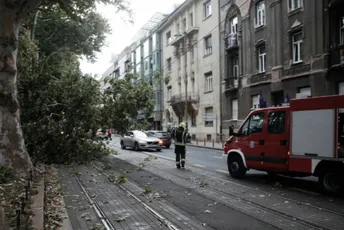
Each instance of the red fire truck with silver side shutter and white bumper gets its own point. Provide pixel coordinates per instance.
(302, 139)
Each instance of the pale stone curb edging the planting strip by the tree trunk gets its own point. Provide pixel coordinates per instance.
(38, 206)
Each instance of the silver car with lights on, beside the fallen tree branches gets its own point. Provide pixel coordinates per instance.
(140, 140)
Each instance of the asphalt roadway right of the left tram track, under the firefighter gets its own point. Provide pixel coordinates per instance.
(186, 192)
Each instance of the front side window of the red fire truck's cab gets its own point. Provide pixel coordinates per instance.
(253, 125)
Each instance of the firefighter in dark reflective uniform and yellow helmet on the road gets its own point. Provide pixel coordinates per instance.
(180, 143)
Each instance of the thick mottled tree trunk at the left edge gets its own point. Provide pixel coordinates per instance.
(12, 147)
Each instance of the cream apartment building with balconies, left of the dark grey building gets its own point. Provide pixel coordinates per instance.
(190, 64)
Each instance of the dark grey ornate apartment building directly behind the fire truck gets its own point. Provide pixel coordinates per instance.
(278, 50)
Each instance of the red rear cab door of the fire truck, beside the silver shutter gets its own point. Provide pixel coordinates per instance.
(277, 141)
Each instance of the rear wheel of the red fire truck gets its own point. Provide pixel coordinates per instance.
(330, 183)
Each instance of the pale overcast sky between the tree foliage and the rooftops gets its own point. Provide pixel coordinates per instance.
(123, 31)
